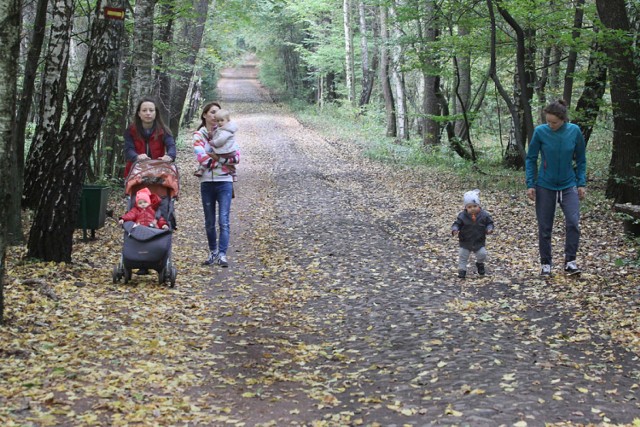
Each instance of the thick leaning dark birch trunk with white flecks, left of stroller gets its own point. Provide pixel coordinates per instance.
(56, 211)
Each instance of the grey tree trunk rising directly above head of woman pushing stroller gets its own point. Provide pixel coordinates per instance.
(142, 54)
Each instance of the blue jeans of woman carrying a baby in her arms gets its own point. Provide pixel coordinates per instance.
(216, 193)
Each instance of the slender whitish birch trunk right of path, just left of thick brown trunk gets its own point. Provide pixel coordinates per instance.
(397, 77)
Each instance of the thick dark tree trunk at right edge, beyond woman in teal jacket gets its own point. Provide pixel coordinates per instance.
(623, 184)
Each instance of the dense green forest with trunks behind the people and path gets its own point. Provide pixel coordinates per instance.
(450, 76)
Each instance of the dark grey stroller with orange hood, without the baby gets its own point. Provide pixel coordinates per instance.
(145, 247)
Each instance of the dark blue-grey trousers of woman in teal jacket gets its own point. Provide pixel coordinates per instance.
(546, 201)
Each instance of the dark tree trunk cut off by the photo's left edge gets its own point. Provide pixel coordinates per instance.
(9, 54)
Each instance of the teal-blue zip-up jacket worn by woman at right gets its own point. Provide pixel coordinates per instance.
(557, 149)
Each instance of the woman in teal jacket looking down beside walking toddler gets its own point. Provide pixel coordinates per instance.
(560, 178)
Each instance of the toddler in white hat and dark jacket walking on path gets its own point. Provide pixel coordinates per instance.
(472, 226)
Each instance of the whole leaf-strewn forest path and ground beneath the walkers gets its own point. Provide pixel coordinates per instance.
(340, 307)
